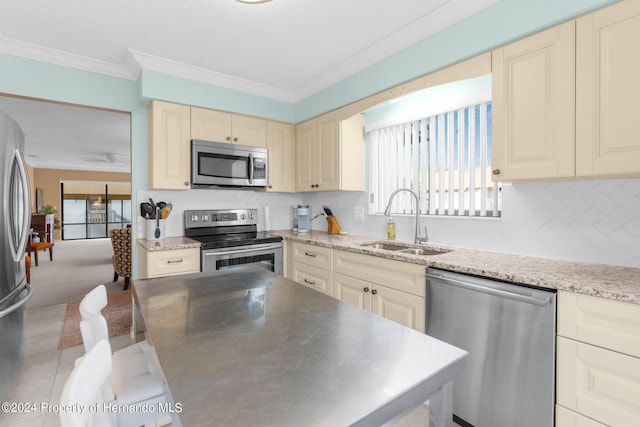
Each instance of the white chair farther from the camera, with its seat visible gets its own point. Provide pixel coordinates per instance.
(133, 378)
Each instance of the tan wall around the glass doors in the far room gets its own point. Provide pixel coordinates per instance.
(49, 180)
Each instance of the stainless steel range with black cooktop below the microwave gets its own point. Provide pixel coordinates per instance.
(230, 239)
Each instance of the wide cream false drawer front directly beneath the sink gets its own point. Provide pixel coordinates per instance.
(402, 276)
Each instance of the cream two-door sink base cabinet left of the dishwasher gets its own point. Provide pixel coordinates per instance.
(393, 289)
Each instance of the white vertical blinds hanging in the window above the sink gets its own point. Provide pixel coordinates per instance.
(445, 159)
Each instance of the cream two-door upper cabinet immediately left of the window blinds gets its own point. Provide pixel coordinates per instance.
(330, 153)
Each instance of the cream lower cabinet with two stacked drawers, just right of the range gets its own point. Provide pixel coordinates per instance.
(311, 266)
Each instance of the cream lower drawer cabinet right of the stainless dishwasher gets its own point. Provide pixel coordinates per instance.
(598, 361)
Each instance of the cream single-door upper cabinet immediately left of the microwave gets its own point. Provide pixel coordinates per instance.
(169, 146)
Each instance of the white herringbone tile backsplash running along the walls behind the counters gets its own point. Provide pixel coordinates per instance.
(592, 220)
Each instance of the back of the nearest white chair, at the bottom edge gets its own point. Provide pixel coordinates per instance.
(83, 389)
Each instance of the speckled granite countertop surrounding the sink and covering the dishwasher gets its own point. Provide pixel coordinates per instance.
(601, 280)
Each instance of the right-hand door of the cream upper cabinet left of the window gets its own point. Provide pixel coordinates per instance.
(327, 158)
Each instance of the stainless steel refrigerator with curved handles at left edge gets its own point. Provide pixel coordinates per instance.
(14, 231)
